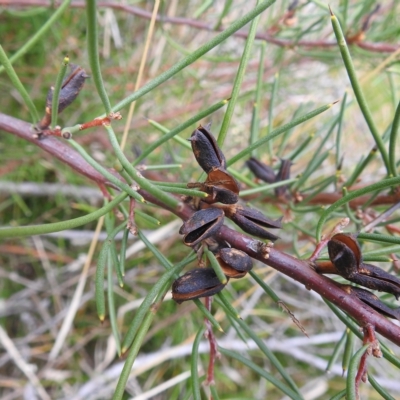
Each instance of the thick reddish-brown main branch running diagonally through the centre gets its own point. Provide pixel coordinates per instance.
(298, 270)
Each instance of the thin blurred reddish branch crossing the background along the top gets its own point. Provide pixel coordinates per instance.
(373, 47)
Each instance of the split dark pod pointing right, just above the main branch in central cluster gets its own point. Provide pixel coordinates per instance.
(253, 222)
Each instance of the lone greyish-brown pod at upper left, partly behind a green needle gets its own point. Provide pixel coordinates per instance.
(71, 86)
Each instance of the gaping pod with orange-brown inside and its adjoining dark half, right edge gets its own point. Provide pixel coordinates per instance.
(345, 254)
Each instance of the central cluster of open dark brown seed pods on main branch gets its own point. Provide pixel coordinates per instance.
(201, 228)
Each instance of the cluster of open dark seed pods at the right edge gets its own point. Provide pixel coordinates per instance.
(346, 256)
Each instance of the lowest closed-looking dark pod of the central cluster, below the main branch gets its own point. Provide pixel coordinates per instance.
(200, 282)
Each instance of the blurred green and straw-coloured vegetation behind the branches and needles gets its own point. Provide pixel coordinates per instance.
(302, 70)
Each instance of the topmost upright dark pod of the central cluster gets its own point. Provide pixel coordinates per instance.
(206, 150)
